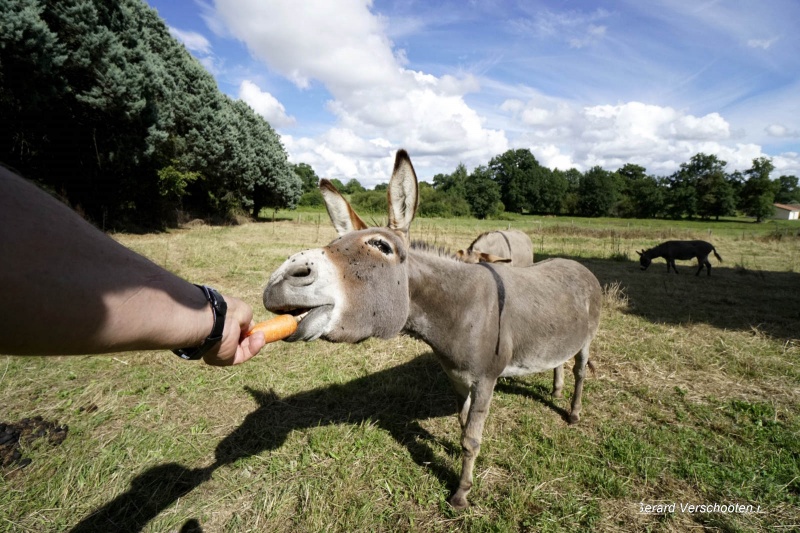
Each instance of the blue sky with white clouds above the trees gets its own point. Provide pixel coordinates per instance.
(348, 82)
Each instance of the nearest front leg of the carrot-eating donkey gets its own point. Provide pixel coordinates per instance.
(471, 436)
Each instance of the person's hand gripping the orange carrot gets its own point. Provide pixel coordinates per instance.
(236, 347)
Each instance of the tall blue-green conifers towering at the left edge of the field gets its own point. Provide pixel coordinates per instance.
(101, 105)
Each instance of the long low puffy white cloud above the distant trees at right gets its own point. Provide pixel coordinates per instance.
(659, 138)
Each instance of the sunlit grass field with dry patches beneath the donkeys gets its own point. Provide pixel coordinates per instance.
(695, 402)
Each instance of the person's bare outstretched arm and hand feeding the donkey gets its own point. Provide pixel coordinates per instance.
(71, 289)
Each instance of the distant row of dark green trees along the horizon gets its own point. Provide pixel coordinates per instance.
(515, 181)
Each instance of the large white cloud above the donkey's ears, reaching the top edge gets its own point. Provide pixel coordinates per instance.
(345, 47)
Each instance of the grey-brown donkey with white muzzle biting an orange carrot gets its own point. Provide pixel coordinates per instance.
(482, 321)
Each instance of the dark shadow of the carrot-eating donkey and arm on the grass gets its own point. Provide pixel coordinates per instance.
(395, 399)
